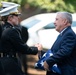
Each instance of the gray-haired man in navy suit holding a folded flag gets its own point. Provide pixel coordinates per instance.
(63, 49)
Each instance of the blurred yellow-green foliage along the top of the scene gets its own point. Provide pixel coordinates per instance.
(49, 5)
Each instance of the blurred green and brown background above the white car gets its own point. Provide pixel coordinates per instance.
(32, 7)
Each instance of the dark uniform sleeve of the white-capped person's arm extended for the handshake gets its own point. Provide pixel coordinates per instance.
(18, 44)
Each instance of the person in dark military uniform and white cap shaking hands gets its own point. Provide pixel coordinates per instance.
(11, 41)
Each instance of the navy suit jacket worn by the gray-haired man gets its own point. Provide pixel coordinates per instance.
(64, 53)
